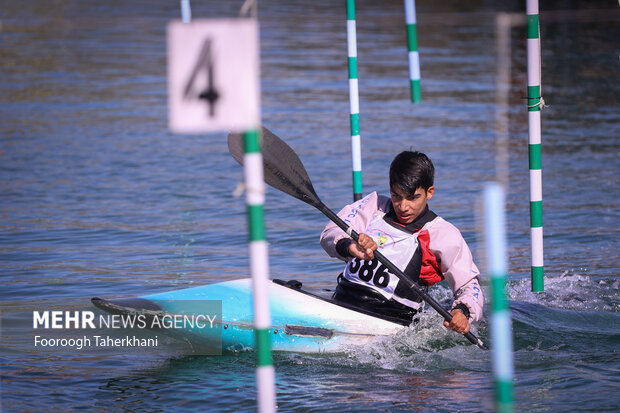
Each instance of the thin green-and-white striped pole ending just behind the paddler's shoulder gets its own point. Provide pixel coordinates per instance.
(354, 102)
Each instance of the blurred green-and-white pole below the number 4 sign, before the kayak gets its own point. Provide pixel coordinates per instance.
(259, 269)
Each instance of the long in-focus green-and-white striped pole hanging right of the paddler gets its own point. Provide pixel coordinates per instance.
(534, 106)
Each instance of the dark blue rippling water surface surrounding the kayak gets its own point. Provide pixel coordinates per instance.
(97, 198)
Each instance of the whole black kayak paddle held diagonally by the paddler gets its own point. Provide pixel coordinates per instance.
(284, 171)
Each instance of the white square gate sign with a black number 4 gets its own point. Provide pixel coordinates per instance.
(213, 75)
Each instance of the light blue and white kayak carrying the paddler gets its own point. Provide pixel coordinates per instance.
(301, 321)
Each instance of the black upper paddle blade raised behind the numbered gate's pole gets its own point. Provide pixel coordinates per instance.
(282, 169)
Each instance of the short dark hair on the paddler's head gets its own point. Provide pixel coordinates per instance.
(410, 171)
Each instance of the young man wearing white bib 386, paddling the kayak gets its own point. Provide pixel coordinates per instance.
(424, 246)
